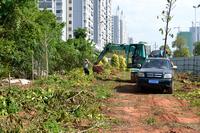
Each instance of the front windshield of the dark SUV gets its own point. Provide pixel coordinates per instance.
(157, 63)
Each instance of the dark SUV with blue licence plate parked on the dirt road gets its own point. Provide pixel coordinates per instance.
(156, 73)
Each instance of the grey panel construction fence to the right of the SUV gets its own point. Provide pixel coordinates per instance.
(190, 64)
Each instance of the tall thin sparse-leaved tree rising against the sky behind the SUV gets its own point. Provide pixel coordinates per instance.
(166, 17)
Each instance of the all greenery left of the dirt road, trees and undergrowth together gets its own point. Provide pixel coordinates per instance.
(61, 97)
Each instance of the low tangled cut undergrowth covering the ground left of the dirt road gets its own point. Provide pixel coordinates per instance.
(55, 104)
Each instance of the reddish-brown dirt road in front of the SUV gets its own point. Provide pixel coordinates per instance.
(150, 112)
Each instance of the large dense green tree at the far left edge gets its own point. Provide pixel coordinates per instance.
(17, 26)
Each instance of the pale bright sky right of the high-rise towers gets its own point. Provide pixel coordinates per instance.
(142, 23)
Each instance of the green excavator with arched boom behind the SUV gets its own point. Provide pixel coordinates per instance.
(135, 56)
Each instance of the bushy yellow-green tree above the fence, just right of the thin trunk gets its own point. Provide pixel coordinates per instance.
(181, 49)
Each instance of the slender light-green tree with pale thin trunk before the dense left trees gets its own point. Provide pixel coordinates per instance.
(49, 34)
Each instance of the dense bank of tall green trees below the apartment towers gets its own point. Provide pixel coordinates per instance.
(27, 34)
